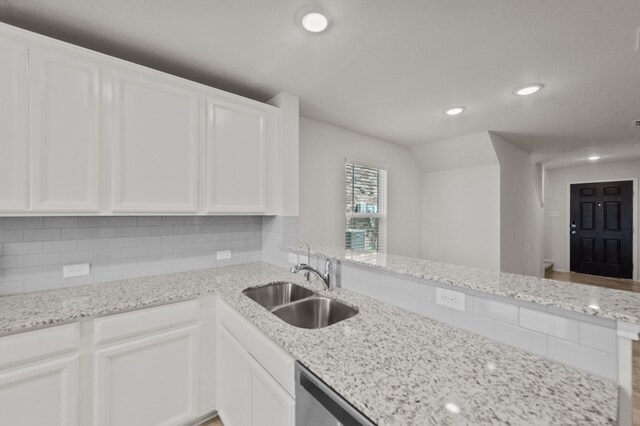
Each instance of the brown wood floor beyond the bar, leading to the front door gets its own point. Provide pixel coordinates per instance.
(619, 284)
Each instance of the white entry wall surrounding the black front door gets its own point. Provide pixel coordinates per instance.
(556, 200)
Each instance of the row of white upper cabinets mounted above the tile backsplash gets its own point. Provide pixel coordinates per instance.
(84, 133)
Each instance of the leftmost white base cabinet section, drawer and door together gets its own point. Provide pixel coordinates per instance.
(39, 377)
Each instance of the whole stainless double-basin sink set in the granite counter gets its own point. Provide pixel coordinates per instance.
(300, 306)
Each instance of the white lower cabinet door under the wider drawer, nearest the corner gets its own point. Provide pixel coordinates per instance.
(148, 381)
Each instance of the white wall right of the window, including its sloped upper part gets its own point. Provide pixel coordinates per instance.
(461, 201)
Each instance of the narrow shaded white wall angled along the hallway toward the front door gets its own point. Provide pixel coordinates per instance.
(521, 216)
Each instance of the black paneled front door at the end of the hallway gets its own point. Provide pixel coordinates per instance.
(601, 228)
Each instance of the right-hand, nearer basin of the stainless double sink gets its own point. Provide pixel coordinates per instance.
(316, 312)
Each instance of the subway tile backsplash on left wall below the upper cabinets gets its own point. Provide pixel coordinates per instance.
(34, 249)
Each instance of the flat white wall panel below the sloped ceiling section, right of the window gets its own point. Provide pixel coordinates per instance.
(461, 216)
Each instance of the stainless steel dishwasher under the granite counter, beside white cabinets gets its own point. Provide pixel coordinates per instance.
(319, 405)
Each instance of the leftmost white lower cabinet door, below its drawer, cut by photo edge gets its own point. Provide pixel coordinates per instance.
(44, 393)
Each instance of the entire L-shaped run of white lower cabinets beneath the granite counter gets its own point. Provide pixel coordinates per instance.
(166, 365)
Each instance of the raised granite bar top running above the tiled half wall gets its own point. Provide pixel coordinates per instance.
(591, 300)
